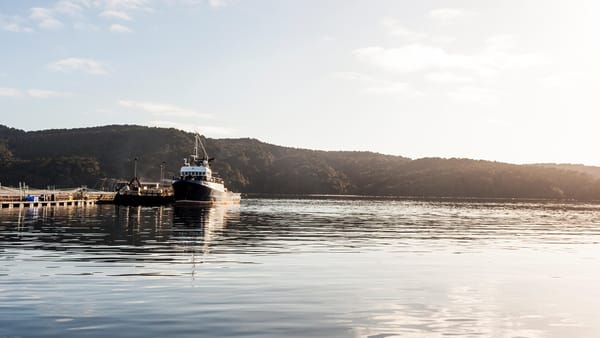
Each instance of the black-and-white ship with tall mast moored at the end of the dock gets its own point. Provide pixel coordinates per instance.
(198, 185)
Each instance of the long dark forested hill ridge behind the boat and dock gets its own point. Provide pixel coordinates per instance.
(97, 156)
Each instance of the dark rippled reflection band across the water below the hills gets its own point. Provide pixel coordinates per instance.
(284, 226)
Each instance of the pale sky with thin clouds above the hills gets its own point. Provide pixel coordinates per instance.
(513, 81)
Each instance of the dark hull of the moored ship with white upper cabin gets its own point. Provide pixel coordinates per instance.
(193, 192)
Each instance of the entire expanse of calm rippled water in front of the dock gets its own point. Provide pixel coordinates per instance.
(305, 268)
